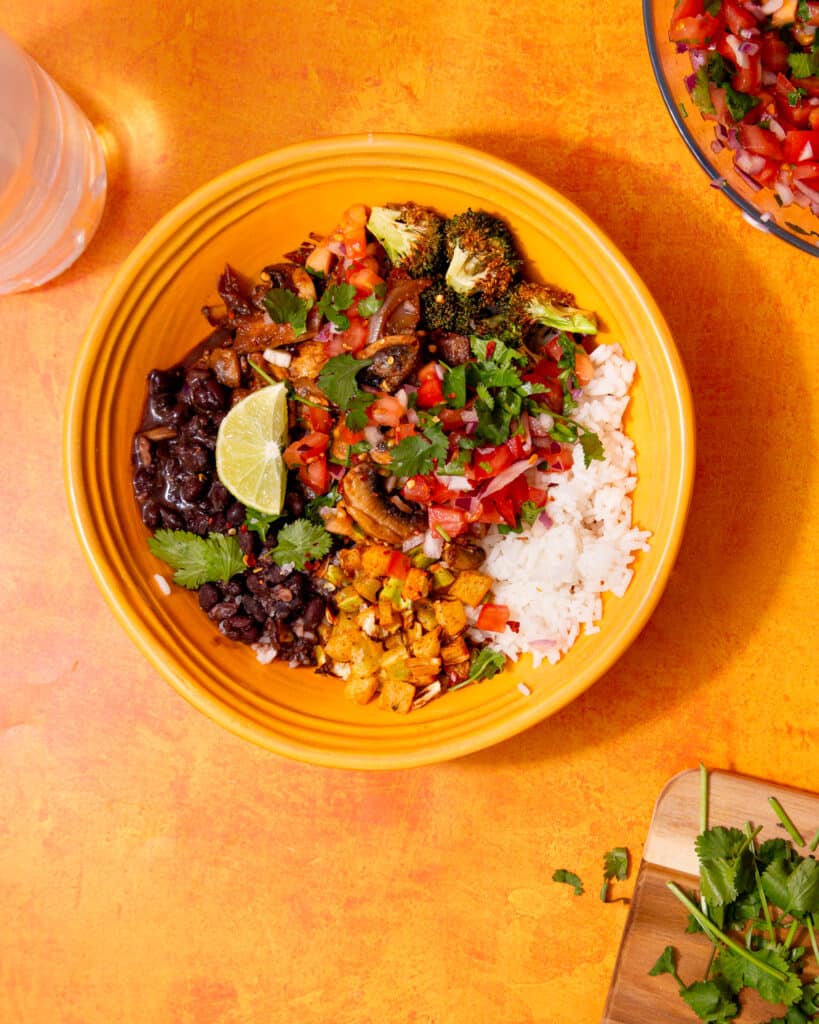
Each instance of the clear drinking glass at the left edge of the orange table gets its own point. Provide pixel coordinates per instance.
(53, 175)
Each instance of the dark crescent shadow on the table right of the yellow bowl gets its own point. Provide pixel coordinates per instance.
(707, 599)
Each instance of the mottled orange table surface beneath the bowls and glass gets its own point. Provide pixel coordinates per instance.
(153, 867)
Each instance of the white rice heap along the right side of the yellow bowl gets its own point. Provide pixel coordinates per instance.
(552, 577)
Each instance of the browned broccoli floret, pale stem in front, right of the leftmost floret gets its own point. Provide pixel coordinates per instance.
(482, 254)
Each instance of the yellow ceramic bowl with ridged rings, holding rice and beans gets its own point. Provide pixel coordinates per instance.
(151, 318)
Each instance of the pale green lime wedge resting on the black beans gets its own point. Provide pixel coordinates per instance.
(249, 448)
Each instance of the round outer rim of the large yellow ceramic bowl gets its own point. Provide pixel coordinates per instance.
(527, 714)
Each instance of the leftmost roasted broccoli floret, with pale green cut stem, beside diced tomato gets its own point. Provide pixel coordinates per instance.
(412, 236)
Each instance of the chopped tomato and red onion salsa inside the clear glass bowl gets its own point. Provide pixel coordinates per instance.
(756, 74)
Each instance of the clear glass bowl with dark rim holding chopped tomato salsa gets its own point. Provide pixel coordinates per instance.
(794, 225)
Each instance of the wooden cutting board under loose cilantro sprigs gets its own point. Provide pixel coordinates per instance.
(657, 918)
